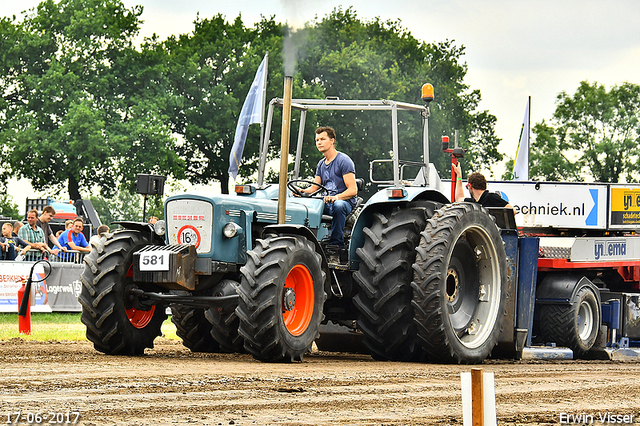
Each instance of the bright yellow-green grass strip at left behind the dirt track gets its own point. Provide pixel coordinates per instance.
(58, 326)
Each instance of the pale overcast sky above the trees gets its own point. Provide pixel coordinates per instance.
(514, 49)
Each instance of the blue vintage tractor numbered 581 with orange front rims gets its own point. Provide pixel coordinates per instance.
(421, 279)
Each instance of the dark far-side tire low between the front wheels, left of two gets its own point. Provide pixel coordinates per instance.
(194, 329)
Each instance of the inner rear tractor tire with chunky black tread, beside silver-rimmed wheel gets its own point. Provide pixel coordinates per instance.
(384, 278)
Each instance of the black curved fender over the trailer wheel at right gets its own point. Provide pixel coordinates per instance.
(562, 289)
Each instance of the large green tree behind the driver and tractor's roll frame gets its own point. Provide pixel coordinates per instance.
(356, 59)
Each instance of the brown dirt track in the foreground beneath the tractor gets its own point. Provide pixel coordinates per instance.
(172, 386)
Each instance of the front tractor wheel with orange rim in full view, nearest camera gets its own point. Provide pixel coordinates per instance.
(281, 298)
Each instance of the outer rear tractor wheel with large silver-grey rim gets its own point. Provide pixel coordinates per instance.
(460, 285)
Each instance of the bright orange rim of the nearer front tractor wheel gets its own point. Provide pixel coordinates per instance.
(298, 318)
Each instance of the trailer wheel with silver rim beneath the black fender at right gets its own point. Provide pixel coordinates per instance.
(575, 326)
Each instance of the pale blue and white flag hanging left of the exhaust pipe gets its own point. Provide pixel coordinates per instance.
(251, 113)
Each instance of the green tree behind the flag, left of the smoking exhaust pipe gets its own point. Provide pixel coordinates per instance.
(211, 71)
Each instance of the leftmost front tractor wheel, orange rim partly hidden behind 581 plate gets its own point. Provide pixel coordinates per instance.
(113, 324)
